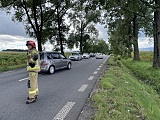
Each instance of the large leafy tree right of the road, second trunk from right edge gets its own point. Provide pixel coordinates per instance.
(133, 12)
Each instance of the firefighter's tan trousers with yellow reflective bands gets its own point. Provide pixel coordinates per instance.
(33, 84)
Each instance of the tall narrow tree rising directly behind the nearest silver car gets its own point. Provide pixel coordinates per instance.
(58, 23)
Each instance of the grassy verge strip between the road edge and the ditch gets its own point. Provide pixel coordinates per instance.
(122, 96)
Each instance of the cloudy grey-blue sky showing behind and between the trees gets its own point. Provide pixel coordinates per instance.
(13, 36)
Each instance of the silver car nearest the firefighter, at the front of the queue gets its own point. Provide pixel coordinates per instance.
(52, 61)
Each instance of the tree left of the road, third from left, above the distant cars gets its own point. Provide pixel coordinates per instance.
(84, 19)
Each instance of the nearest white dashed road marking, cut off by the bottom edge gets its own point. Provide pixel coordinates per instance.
(64, 111)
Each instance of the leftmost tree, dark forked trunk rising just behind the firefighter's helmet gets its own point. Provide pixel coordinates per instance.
(34, 14)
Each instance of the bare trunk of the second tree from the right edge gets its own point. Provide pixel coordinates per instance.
(135, 37)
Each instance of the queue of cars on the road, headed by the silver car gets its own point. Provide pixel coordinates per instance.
(52, 61)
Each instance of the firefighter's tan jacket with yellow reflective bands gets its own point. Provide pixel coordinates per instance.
(33, 58)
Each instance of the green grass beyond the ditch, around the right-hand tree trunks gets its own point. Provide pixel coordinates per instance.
(144, 71)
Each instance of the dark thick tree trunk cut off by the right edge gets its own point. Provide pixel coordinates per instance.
(156, 57)
